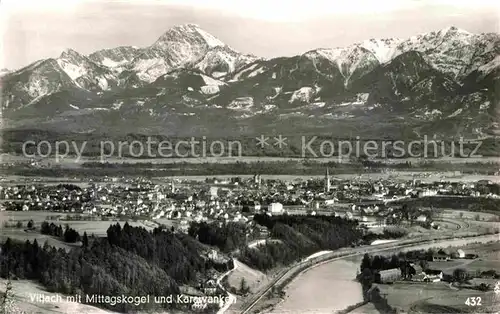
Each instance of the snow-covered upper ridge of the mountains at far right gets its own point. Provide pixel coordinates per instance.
(452, 50)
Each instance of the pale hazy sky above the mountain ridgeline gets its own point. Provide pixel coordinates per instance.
(35, 29)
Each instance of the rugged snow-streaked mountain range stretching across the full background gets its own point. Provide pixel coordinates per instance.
(189, 82)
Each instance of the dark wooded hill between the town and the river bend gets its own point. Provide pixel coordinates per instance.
(294, 237)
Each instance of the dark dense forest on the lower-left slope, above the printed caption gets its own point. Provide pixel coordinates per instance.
(131, 262)
